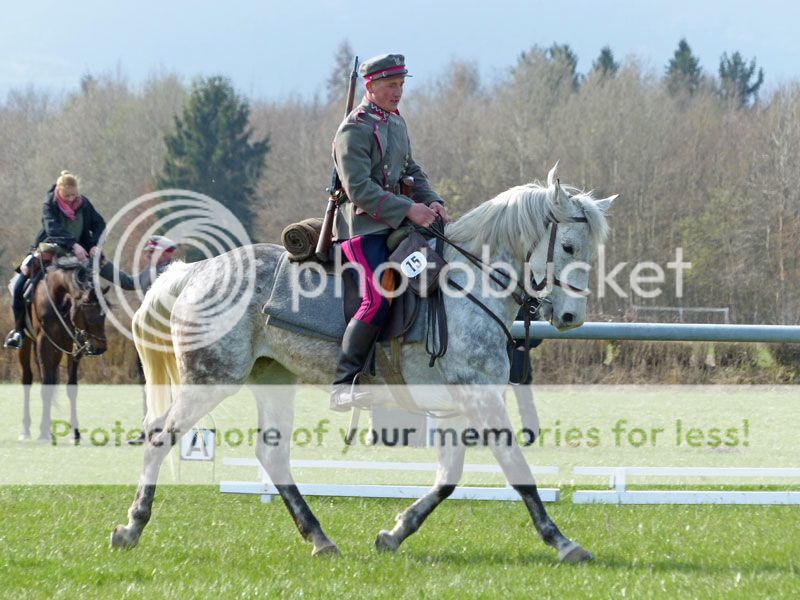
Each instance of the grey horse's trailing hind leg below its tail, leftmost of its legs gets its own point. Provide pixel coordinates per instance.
(190, 405)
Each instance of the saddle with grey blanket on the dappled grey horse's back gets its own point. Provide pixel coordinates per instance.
(312, 299)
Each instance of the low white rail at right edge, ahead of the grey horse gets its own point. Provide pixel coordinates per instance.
(619, 494)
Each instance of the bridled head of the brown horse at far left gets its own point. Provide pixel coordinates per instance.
(87, 313)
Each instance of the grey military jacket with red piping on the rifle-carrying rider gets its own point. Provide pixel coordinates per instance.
(372, 153)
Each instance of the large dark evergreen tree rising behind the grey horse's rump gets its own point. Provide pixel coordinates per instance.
(210, 151)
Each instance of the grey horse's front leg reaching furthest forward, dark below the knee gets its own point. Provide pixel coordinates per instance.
(491, 420)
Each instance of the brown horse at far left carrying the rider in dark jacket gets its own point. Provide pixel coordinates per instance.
(66, 318)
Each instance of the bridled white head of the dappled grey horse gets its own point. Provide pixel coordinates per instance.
(576, 227)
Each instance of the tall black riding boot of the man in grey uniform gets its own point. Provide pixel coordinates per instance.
(359, 337)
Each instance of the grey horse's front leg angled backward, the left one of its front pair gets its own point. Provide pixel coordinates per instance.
(451, 467)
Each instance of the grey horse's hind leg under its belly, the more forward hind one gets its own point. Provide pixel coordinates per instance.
(275, 419)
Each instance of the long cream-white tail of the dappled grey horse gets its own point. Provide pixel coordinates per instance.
(152, 335)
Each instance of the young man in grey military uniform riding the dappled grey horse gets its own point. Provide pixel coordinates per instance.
(372, 153)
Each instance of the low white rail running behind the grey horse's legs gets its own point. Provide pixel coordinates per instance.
(267, 490)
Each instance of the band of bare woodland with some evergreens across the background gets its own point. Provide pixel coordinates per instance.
(703, 160)
